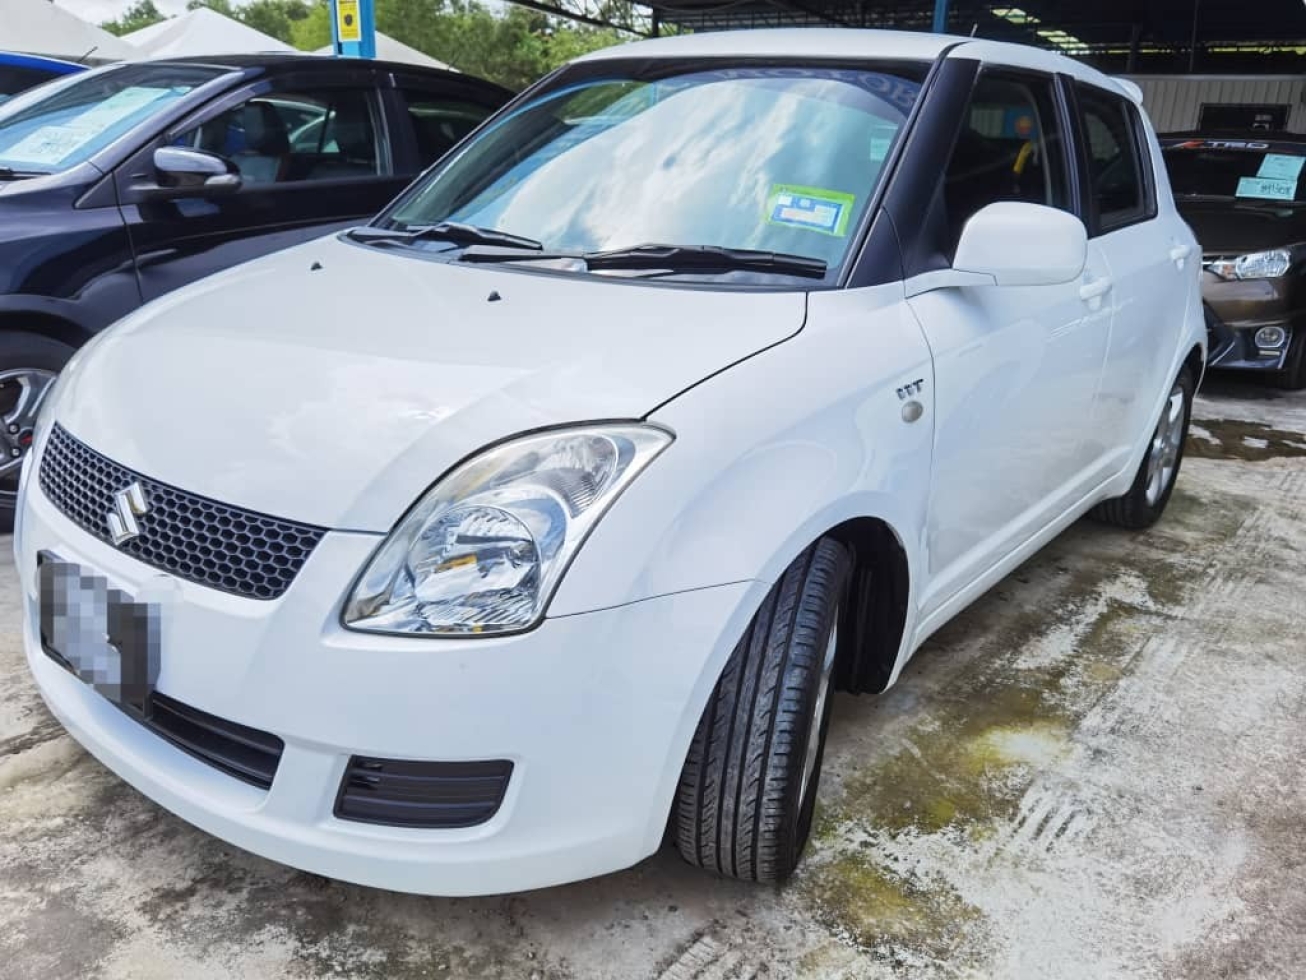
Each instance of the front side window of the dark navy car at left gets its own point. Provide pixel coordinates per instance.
(291, 137)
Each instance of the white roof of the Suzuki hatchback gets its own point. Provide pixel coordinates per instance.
(855, 44)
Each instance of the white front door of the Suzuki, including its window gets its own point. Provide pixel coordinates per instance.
(1015, 368)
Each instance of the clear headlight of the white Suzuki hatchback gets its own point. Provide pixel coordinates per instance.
(484, 551)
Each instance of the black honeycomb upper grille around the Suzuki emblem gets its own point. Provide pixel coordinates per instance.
(190, 536)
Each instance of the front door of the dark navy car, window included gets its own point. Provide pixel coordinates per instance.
(313, 152)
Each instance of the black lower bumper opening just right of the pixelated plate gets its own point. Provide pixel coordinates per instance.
(246, 753)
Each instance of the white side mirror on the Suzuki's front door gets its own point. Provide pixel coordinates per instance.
(1023, 245)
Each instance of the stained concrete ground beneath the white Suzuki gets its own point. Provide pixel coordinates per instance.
(1095, 773)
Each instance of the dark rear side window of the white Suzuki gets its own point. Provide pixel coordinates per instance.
(1119, 188)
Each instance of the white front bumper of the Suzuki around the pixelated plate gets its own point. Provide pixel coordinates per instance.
(595, 711)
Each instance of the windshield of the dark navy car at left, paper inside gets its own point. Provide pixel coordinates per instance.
(63, 125)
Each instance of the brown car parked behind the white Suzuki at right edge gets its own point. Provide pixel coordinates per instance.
(1245, 198)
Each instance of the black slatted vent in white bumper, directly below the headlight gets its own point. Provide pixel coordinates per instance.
(434, 795)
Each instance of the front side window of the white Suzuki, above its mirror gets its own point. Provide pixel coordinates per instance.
(1010, 150)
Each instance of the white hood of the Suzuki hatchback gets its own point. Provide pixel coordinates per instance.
(334, 384)
